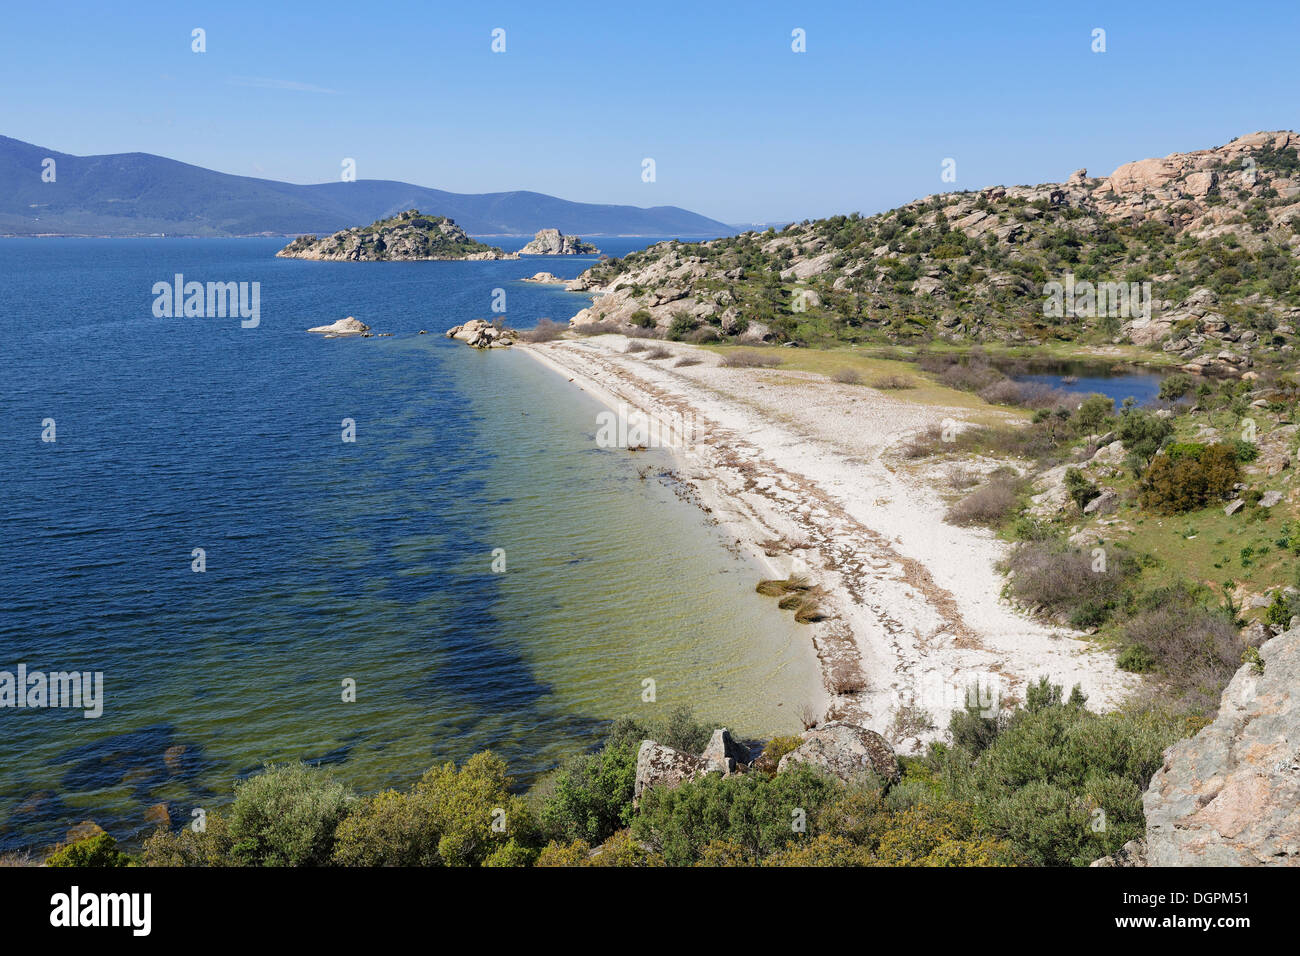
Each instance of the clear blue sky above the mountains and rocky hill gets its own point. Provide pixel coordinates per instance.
(740, 128)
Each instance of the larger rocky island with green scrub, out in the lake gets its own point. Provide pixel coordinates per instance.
(408, 237)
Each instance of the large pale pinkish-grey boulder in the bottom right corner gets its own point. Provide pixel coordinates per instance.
(1230, 797)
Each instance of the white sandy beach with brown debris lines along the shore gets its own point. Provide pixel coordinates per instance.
(799, 469)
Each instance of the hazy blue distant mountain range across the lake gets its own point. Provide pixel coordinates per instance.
(141, 194)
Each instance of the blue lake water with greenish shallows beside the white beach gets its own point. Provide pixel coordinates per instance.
(327, 560)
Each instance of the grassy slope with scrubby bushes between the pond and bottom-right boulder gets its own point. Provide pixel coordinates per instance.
(1186, 570)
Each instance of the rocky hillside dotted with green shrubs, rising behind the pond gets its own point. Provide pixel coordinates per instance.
(1215, 235)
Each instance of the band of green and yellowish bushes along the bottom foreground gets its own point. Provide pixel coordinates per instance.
(1050, 784)
